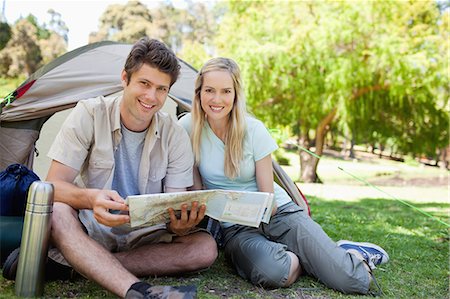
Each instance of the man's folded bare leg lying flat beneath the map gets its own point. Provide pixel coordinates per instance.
(185, 254)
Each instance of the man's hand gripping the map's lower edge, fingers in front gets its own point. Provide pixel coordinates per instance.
(188, 220)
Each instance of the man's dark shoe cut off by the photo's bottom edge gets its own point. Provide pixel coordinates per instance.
(143, 290)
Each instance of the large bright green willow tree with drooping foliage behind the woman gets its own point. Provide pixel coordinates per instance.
(305, 64)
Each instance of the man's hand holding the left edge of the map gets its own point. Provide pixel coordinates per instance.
(105, 200)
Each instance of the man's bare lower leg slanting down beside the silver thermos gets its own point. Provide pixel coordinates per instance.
(85, 255)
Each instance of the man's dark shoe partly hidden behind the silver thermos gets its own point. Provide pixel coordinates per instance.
(53, 270)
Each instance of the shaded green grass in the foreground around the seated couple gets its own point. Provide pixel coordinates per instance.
(417, 245)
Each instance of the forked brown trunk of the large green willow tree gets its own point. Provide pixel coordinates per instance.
(308, 163)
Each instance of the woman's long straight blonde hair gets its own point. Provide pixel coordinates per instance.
(234, 138)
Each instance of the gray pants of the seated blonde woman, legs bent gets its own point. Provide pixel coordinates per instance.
(259, 254)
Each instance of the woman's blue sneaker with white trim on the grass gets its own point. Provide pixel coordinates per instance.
(373, 254)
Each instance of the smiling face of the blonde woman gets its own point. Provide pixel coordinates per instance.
(217, 95)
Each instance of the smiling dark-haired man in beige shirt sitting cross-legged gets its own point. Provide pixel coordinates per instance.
(112, 147)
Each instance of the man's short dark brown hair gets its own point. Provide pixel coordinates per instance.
(155, 54)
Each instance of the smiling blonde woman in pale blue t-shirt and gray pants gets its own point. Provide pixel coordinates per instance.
(233, 151)
